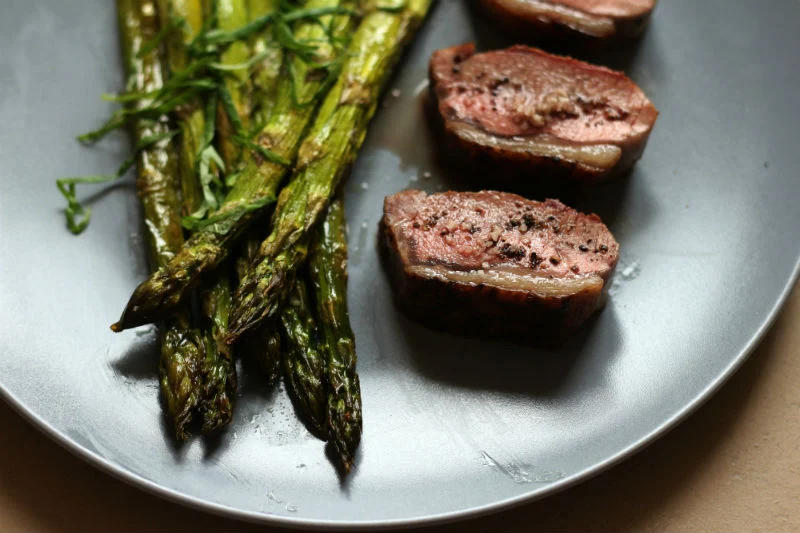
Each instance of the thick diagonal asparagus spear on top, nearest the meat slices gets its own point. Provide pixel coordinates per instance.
(324, 157)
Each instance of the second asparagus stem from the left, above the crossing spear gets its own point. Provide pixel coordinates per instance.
(190, 118)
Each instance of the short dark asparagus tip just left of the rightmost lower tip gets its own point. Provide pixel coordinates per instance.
(303, 360)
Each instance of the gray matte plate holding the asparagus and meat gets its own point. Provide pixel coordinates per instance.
(708, 224)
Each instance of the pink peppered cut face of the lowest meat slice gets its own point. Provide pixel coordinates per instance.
(473, 233)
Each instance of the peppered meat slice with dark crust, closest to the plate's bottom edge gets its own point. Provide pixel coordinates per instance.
(494, 263)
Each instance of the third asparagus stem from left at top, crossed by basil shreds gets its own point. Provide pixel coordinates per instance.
(233, 14)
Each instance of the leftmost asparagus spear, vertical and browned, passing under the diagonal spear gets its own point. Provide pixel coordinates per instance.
(181, 347)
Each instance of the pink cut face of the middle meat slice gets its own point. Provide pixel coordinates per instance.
(511, 93)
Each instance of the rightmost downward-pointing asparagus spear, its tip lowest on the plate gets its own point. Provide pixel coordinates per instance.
(328, 267)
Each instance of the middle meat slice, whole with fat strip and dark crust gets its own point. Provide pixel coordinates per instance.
(521, 113)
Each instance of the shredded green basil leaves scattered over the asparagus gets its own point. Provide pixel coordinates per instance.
(204, 78)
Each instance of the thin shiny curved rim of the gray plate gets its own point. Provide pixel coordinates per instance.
(137, 481)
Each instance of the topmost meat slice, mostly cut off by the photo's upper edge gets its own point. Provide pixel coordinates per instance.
(597, 19)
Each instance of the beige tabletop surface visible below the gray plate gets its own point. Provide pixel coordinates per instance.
(732, 466)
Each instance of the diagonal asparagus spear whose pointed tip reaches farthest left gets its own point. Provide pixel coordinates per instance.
(255, 187)
